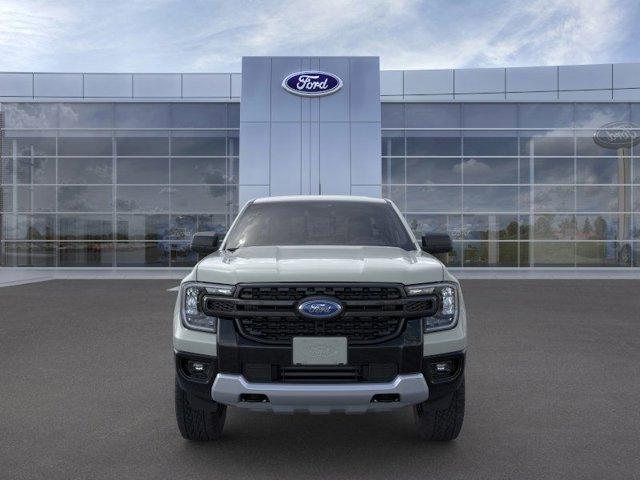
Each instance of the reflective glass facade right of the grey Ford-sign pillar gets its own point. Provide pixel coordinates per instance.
(516, 185)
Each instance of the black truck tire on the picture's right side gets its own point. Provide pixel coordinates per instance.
(441, 425)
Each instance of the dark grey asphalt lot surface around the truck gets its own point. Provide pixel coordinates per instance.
(553, 382)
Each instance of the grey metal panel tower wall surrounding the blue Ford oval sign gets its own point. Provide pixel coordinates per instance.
(294, 145)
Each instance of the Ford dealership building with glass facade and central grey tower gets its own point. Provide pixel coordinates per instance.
(530, 167)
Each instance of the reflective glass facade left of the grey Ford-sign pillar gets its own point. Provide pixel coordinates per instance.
(114, 184)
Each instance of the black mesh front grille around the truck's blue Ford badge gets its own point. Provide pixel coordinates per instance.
(372, 313)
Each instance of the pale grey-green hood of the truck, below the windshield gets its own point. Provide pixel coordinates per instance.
(319, 264)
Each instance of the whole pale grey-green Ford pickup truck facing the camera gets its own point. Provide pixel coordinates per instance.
(319, 304)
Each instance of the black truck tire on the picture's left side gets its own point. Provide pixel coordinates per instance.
(196, 420)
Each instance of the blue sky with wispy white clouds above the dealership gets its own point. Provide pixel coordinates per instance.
(212, 36)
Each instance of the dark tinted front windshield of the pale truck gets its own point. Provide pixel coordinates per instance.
(319, 223)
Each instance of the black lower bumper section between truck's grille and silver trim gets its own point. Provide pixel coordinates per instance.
(264, 363)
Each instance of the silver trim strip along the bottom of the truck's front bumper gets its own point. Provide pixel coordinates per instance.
(320, 398)
